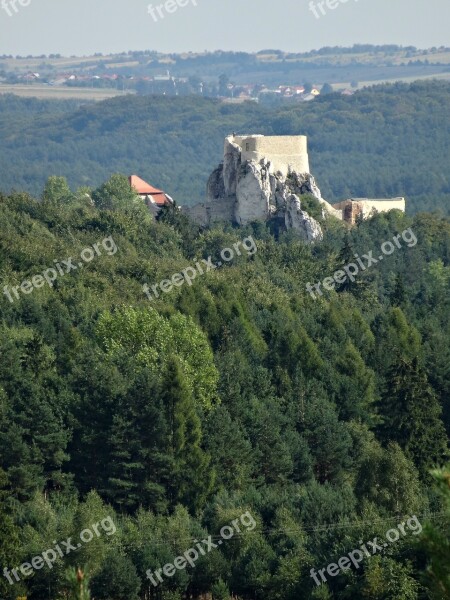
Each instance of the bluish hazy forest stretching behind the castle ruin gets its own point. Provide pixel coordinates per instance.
(387, 141)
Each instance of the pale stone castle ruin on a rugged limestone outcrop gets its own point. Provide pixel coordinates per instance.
(264, 177)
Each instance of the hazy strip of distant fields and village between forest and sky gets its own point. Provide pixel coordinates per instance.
(269, 76)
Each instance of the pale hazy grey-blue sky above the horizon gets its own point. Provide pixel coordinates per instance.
(78, 27)
